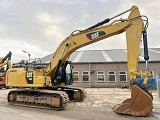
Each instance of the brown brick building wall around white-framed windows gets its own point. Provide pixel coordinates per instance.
(95, 67)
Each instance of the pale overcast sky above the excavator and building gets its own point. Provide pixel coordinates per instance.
(39, 26)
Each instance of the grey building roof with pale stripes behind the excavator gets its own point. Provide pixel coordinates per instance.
(114, 55)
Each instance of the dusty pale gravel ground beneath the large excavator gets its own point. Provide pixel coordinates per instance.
(97, 106)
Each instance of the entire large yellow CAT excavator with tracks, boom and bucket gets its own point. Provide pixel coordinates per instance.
(46, 87)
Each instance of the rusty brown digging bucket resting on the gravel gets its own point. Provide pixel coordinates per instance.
(140, 103)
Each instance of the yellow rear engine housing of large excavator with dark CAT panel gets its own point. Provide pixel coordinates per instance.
(33, 78)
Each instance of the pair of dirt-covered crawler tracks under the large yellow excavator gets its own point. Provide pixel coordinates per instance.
(46, 99)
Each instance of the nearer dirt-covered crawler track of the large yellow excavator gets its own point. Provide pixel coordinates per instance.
(39, 98)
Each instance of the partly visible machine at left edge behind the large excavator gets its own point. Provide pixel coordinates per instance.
(6, 61)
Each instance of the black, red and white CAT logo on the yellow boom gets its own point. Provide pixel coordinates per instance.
(95, 35)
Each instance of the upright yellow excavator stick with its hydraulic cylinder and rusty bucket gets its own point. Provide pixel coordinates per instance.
(140, 103)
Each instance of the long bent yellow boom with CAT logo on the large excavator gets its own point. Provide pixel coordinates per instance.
(81, 39)
